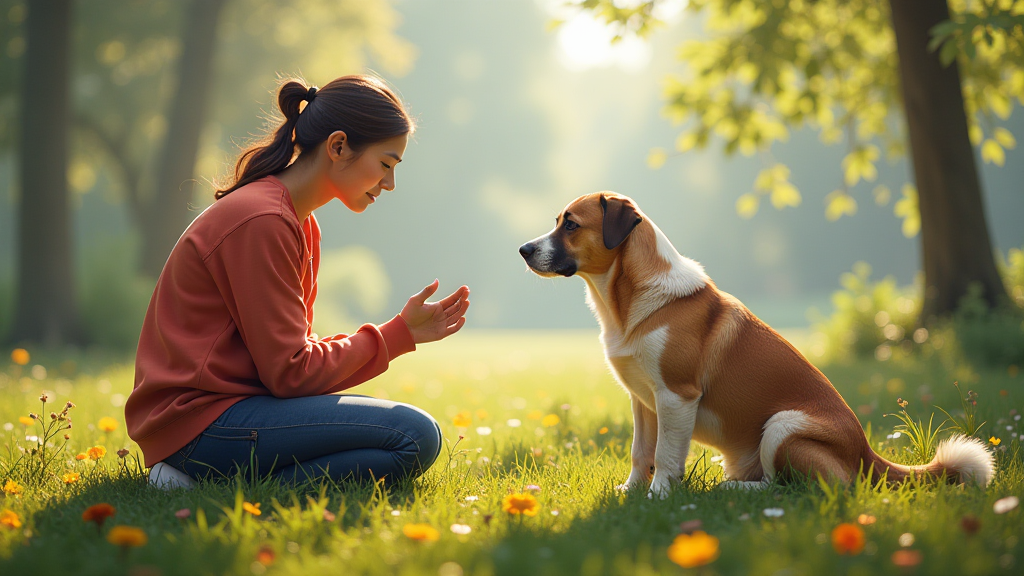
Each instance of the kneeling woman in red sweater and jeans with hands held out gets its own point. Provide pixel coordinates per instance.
(229, 374)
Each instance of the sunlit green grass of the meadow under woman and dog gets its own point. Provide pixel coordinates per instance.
(584, 526)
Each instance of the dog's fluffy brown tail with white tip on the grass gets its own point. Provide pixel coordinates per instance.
(960, 459)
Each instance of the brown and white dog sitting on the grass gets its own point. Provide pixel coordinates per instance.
(700, 366)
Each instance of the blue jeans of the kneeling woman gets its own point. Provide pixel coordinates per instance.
(342, 437)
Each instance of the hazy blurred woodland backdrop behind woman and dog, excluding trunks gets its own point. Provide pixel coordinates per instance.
(517, 120)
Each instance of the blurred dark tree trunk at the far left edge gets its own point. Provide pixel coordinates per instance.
(46, 307)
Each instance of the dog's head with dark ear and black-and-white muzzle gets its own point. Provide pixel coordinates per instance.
(587, 237)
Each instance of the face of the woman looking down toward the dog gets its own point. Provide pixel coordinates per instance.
(360, 178)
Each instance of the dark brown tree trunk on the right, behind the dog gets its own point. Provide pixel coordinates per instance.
(957, 250)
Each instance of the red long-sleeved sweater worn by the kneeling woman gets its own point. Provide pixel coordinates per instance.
(232, 318)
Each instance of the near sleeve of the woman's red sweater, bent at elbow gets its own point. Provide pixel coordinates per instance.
(259, 270)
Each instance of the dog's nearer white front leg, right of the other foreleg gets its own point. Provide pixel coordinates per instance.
(676, 419)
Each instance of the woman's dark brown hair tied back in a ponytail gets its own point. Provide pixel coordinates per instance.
(364, 107)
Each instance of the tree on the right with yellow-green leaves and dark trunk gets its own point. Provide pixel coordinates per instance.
(846, 68)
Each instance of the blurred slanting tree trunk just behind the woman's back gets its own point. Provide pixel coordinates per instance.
(169, 214)
